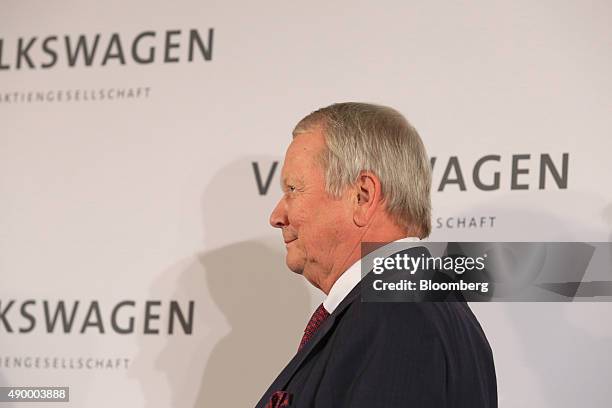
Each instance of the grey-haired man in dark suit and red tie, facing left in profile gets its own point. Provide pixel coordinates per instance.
(356, 173)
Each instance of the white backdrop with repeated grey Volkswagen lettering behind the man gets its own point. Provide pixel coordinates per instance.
(150, 195)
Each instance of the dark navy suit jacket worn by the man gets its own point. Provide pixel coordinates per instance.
(404, 354)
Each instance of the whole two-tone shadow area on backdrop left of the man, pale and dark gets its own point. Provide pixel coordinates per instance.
(250, 309)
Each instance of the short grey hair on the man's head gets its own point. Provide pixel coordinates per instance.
(367, 137)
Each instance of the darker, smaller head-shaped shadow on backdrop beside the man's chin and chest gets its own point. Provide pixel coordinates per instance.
(264, 312)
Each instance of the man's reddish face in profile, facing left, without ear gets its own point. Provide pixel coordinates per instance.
(312, 222)
